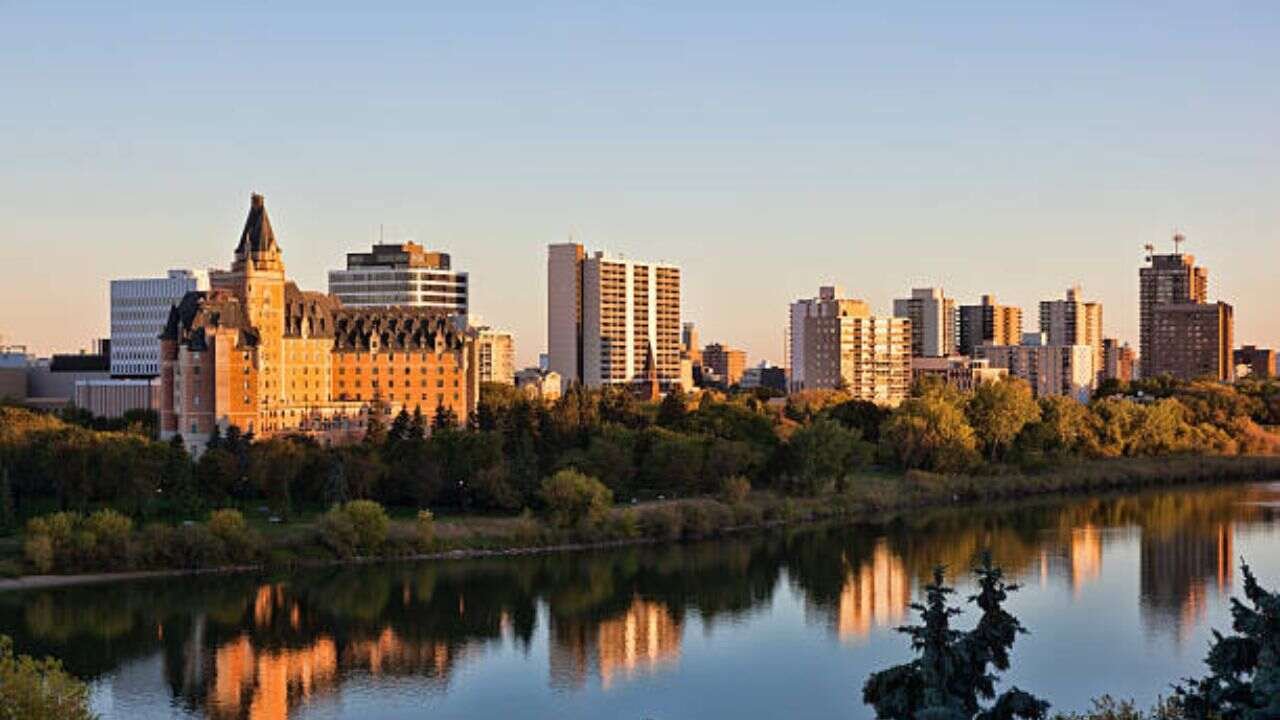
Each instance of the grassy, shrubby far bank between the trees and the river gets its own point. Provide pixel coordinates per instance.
(322, 539)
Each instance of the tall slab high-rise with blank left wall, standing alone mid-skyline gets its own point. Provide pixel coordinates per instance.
(612, 321)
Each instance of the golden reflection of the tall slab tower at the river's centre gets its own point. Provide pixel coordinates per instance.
(642, 640)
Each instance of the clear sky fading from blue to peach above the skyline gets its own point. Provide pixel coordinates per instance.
(988, 148)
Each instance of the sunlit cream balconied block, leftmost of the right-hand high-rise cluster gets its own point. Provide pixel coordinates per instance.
(839, 344)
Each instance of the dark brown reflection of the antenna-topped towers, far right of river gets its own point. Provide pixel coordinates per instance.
(1178, 571)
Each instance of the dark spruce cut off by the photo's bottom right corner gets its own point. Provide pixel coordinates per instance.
(1245, 669)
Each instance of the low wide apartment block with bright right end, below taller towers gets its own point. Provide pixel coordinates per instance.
(1050, 370)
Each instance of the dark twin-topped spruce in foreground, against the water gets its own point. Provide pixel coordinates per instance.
(954, 673)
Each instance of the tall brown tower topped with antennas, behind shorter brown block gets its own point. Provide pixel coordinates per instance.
(1168, 280)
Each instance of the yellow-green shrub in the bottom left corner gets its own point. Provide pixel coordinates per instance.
(39, 690)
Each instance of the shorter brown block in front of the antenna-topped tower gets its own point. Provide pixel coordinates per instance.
(1191, 341)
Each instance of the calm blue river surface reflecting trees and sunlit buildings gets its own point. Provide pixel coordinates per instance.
(1119, 594)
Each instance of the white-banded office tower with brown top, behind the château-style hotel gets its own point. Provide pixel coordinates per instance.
(401, 275)
